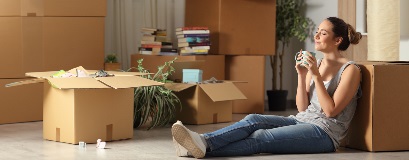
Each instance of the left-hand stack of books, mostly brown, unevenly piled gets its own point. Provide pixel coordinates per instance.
(155, 42)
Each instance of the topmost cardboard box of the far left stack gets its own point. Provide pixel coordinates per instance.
(53, 8)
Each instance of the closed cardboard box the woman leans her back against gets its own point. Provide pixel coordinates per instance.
(381, 120)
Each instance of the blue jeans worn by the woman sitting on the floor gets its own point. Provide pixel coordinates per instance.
(267, 134)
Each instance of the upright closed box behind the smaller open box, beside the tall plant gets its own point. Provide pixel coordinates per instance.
(252, 70)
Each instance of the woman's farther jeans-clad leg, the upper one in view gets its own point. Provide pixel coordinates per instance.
(244, 128)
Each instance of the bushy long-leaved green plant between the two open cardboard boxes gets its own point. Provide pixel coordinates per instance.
(156, 104)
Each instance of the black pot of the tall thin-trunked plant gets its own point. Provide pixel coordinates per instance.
(277, 100)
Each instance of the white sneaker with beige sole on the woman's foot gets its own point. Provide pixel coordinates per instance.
(190, 140)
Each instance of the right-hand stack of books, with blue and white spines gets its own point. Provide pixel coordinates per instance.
(193, 40)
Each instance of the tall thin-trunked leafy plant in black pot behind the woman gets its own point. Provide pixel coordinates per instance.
(289, 23)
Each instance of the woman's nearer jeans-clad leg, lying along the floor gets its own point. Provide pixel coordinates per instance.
(300, 138)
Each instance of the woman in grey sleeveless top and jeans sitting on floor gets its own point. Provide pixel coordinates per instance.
(326, 99)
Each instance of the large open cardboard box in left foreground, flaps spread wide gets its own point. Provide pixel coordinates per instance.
(88, 108)
